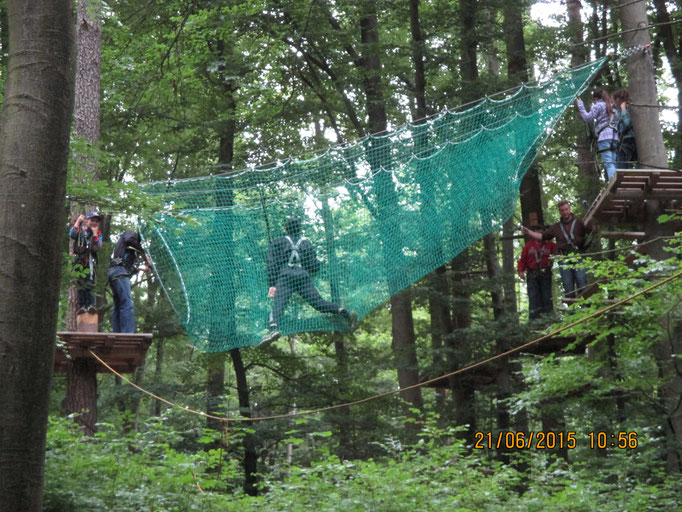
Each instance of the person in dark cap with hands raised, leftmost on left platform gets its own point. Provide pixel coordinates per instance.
(87, 242)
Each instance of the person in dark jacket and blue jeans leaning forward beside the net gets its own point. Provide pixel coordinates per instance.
(122, 266)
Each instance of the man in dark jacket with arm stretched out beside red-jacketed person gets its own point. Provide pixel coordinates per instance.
(570, 233)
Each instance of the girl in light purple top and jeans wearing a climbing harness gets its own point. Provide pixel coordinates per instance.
(605, 127)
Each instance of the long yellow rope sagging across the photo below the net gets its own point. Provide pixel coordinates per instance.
(226, 420)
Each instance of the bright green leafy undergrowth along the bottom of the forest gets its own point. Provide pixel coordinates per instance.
(143, 472)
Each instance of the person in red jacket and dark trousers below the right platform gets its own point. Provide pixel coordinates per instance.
(535, 266)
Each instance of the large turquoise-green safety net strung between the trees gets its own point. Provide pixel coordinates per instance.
(381, 213)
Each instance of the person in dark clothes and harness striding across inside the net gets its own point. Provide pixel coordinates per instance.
(291, 262)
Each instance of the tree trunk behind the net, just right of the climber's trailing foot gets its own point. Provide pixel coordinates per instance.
(401, 307)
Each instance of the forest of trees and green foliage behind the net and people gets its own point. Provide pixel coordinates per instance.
(190, 88)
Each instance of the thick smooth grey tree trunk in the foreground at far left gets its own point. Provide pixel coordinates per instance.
(34, 137)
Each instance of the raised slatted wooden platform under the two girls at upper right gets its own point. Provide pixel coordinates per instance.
(622, 201)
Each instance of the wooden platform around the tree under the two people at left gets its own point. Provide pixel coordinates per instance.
(124, 352)
